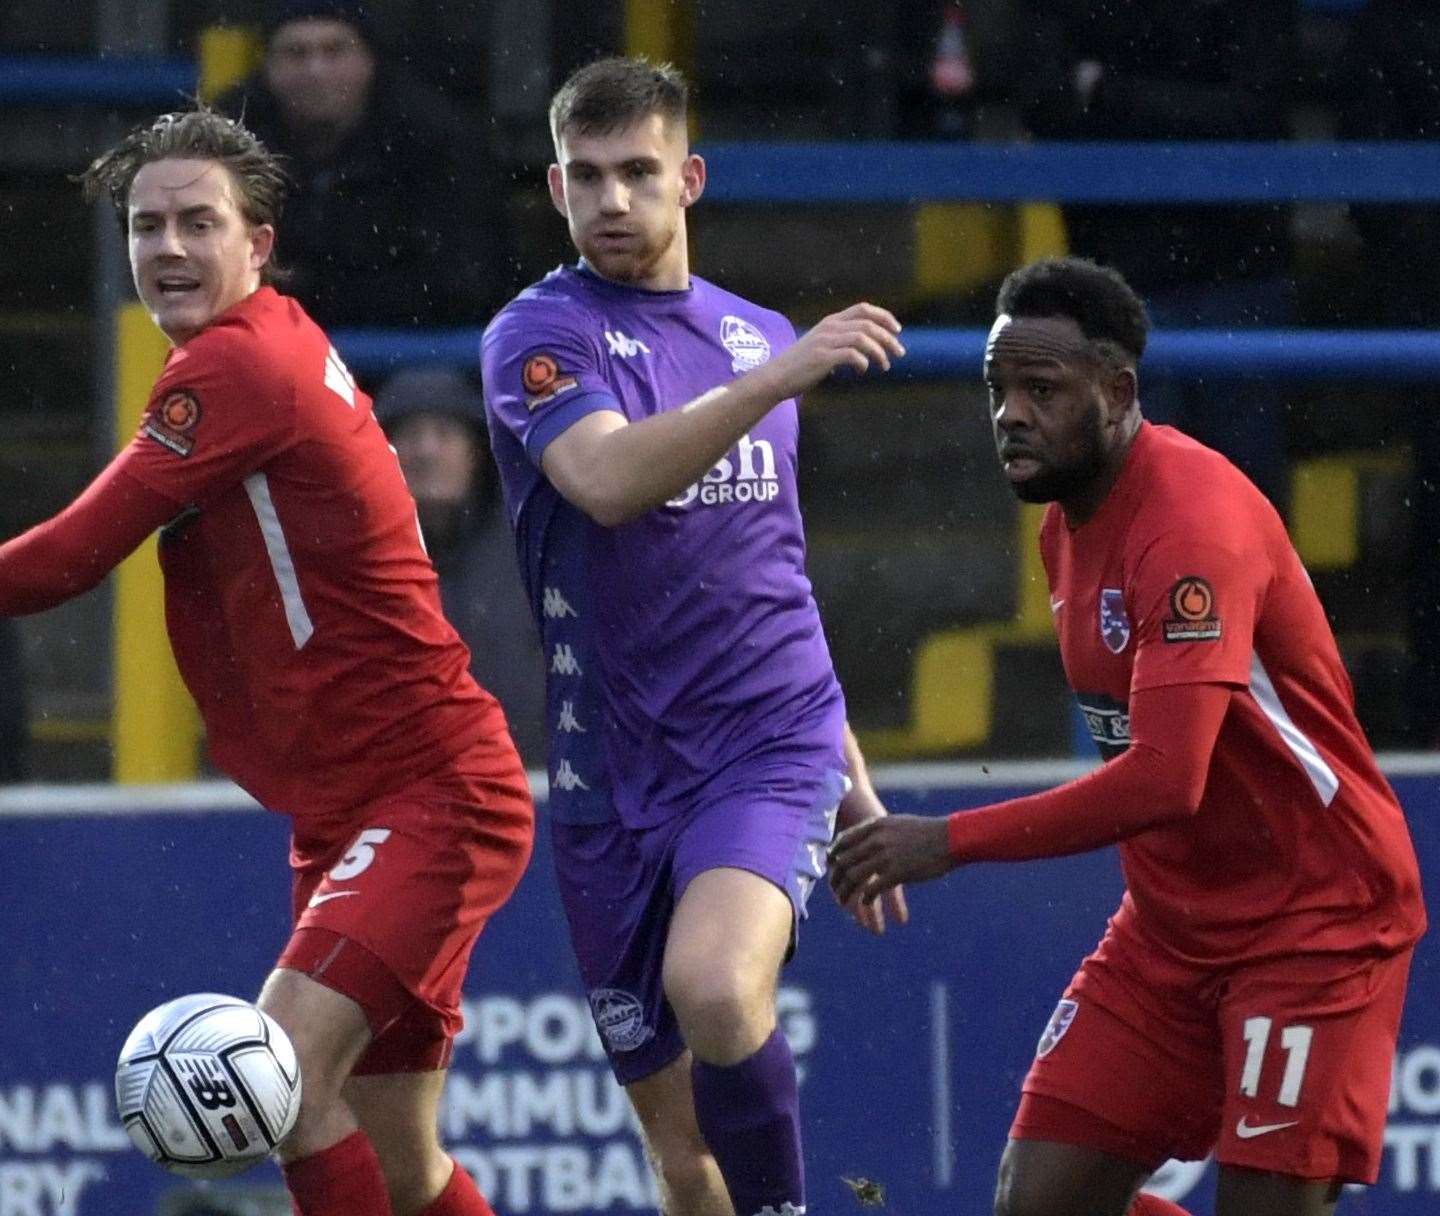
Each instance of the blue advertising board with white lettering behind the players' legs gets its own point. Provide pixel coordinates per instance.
(912, 1048)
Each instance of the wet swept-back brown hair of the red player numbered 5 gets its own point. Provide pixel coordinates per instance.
(195, 135)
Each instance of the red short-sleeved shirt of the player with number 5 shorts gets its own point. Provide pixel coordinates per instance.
(303, 610)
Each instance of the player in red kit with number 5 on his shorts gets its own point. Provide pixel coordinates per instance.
(306, 620)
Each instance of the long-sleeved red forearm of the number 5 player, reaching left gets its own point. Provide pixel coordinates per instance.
(74, 551)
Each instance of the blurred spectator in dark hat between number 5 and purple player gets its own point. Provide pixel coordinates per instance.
(436, 420)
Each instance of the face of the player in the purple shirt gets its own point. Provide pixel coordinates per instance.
(626, 195)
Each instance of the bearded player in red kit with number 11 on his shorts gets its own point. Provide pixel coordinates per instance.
(1246, 996)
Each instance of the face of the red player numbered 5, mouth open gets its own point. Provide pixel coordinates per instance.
(192, 251)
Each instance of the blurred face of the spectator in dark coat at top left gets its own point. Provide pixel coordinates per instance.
(320, 73)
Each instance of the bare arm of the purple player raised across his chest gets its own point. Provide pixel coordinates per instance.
(616, 470)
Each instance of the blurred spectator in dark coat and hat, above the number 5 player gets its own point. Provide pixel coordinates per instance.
(390, 223)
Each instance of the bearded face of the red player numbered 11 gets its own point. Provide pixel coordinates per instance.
(1049, 408)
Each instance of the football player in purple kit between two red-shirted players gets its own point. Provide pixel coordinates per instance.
(644, 423)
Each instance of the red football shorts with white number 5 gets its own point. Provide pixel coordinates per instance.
(388, 908)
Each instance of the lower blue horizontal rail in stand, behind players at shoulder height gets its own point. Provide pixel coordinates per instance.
(1373, 355)
